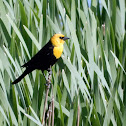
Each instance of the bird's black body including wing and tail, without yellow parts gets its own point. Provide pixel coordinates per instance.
(41, 61)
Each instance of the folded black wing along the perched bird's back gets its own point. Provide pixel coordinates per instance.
(43, 54)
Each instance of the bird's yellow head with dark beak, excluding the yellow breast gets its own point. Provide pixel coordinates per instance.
(58, 39)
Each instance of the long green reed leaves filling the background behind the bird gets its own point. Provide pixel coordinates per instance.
(91, 75)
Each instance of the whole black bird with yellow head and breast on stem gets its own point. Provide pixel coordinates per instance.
(46, 57)
